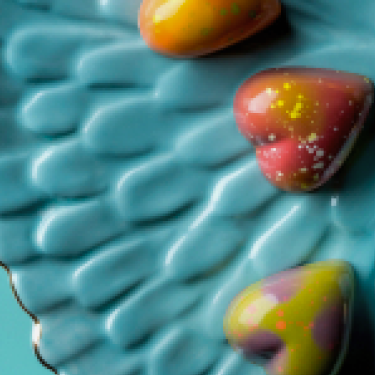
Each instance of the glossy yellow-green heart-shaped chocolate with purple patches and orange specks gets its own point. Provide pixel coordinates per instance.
(296, 322)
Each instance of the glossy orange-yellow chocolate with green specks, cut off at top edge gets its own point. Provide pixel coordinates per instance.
(189, 28)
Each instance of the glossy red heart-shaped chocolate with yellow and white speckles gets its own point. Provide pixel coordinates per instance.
(302, 121)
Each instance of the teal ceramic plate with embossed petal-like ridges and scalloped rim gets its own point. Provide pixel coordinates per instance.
(132, 210)
